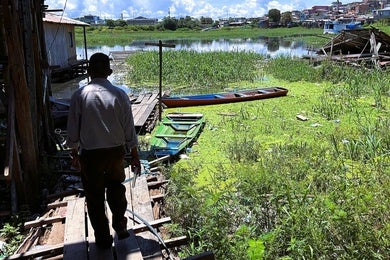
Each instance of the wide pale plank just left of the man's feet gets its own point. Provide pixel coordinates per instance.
(75, 246)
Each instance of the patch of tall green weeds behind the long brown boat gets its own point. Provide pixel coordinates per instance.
(194, 72)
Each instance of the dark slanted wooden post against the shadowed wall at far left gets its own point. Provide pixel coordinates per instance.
(13, 30)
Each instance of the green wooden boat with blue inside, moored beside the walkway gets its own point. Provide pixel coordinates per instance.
(175, 133)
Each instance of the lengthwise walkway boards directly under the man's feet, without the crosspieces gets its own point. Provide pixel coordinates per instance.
(79, 240)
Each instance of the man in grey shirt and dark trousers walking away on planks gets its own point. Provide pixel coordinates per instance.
(101, 125)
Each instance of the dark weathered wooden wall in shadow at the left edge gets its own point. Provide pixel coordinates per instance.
(26, 85)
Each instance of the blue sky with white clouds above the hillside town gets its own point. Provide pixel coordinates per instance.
(216, 9)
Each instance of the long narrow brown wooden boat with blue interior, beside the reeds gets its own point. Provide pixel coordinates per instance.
(223, 98)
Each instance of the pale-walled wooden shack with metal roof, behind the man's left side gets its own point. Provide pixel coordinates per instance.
(60, 42)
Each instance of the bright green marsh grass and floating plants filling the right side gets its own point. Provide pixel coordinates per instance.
(296, 189)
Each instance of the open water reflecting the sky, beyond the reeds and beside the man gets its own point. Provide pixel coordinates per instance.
(268, 46)
